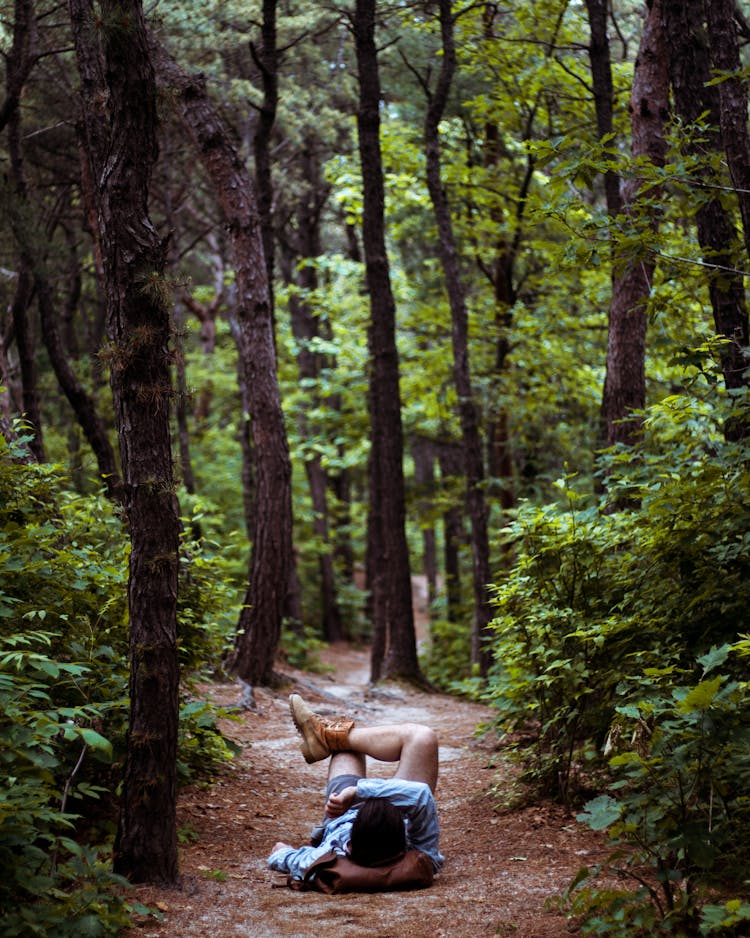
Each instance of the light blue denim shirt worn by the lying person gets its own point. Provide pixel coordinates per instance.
(413, 798)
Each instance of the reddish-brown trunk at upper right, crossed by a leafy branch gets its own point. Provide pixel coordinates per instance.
(624, 393)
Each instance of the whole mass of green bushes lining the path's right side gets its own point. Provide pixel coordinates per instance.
(621, 665)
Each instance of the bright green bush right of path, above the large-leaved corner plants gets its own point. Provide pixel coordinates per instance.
(596, 596)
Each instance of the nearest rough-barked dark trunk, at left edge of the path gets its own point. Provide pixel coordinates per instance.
(119, 127)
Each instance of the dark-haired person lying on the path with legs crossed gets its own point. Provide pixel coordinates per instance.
(370, 820)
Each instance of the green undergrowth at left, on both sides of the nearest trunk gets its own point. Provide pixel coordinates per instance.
(63, 697)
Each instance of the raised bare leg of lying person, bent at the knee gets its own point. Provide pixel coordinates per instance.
(413, 746)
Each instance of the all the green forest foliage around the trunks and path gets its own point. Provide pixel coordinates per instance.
(620, 650)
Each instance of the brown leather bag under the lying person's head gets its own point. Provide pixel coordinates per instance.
(336, 874)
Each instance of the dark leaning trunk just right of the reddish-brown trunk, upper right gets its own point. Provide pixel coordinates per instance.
(690, 75)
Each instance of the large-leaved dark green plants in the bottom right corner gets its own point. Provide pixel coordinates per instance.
(679, 811)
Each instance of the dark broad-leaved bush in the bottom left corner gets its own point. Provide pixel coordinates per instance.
(49, 883)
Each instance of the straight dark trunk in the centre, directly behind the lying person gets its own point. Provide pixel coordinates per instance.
(388, 565)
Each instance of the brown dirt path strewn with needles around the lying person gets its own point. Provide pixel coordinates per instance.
(499, 868)
